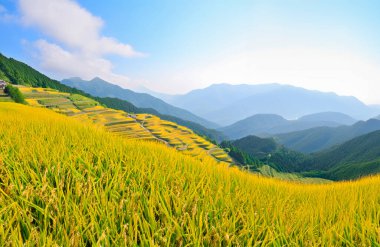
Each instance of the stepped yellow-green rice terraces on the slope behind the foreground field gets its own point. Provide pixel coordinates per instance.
(128, 125)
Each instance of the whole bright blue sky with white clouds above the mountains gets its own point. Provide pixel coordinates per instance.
(176, 46)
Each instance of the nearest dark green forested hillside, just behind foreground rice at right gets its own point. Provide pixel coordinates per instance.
(352, 159)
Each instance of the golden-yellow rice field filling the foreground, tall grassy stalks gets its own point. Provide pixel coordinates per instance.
(69, 183)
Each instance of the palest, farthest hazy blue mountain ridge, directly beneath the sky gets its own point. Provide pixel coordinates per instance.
(226, 104)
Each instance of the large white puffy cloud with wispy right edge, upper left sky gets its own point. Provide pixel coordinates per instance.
(77, 47)
